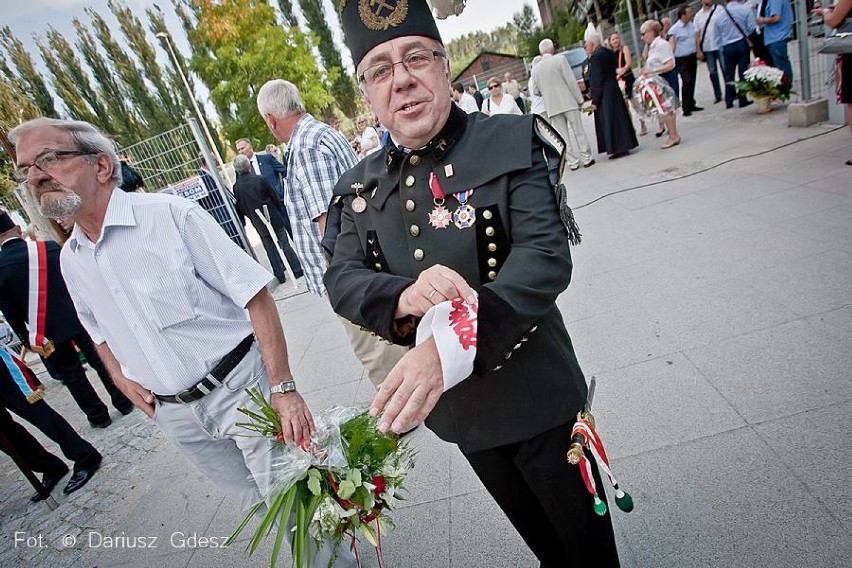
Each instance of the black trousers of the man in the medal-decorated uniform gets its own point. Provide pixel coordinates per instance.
(546, 500)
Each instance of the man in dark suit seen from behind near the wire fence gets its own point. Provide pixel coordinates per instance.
(253, 192)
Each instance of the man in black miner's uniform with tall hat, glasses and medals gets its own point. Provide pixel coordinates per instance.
(448, 212)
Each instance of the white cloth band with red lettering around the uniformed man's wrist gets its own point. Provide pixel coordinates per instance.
(453, 324)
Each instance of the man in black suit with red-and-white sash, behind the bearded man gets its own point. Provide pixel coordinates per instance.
(61, 324)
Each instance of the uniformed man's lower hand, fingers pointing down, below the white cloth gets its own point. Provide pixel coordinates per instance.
(411, 390)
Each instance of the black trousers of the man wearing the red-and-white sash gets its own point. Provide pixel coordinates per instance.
(64, 366)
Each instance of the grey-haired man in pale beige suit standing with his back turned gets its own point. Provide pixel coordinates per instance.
(555, 82)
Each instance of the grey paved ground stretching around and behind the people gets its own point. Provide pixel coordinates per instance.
(715, 310)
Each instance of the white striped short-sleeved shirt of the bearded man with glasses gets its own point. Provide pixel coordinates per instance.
(164, 287)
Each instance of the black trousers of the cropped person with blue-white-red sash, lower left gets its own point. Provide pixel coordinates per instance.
(55, 427)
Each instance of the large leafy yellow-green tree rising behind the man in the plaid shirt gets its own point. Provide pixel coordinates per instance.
(240, 47)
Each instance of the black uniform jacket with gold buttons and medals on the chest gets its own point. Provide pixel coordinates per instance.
(526, 377)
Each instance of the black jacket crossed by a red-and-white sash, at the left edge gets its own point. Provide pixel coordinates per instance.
(61, 323)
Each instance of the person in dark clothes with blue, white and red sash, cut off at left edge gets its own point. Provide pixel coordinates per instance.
(21, 393)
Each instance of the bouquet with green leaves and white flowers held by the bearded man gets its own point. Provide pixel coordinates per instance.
(340, 484)
